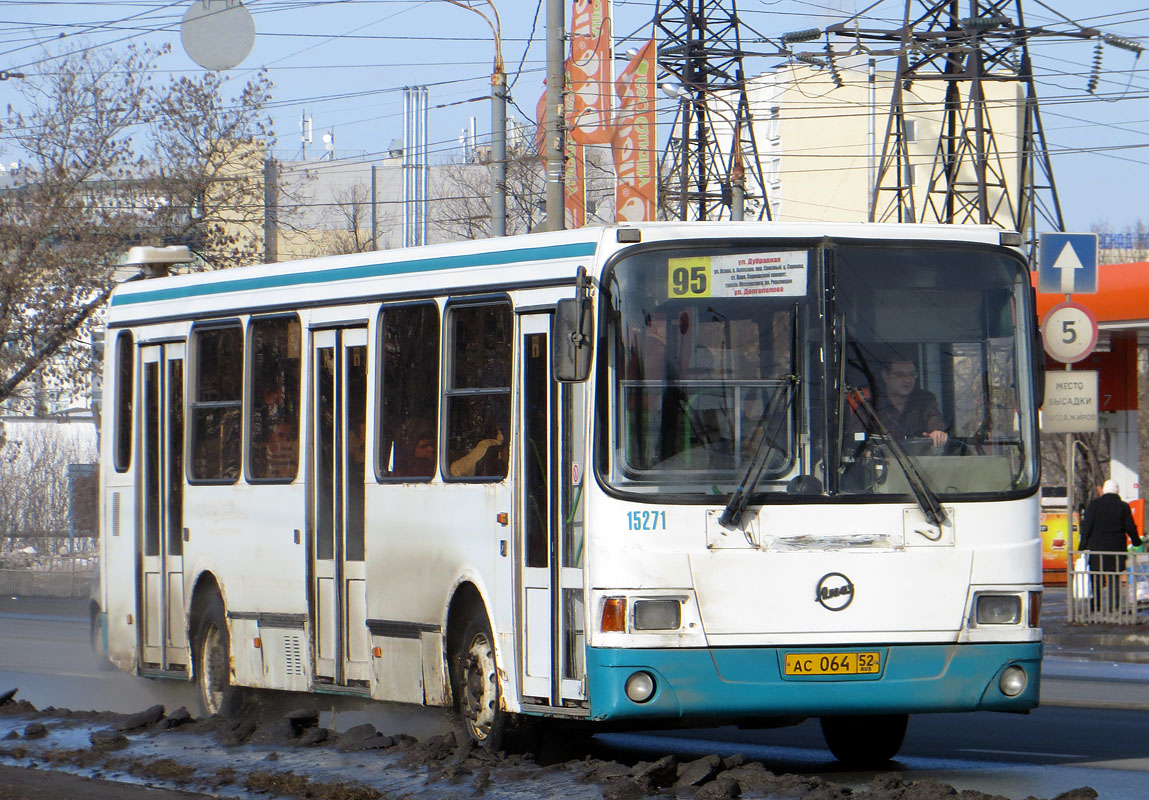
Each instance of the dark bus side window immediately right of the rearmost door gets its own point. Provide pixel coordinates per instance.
(217, 404)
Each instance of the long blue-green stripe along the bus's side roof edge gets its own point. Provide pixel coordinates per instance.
(499, 258)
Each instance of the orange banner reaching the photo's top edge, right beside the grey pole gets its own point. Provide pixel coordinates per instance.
(590, 72)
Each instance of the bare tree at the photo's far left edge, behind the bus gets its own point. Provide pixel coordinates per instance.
(60, 227)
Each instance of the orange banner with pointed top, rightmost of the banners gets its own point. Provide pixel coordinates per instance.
(634, 141)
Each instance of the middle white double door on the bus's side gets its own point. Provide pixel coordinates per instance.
(338, 466)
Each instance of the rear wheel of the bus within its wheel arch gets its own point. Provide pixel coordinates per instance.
(212, 650)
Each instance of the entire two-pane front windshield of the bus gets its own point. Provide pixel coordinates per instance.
(842, 370)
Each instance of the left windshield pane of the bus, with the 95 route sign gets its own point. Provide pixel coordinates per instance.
(703, 345)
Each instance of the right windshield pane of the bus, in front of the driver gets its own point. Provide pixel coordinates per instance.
(934, 359)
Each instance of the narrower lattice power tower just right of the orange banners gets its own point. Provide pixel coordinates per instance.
(700, 47)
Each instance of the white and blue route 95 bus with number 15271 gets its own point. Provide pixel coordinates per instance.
(646, 475)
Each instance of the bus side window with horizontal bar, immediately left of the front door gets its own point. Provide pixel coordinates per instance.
(479, 391)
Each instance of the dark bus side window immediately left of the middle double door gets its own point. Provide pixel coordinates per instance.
(274, 407)
